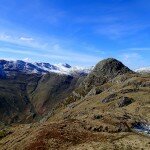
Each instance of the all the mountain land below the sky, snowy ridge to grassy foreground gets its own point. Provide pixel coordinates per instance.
(43, 107)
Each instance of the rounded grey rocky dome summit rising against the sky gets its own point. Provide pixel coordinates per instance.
(104, 71)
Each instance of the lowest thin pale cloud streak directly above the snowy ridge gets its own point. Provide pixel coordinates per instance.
(69, 57)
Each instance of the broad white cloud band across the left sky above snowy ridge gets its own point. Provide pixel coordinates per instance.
(58, 50)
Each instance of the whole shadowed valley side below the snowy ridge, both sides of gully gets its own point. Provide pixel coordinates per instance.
(27, 97)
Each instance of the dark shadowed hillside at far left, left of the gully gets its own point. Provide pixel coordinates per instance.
(14, 98)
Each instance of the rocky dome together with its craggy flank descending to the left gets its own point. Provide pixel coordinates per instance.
(103, 72)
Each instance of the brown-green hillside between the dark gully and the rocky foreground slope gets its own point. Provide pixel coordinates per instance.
(52, 89)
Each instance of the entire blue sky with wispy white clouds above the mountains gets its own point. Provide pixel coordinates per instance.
(78, 32)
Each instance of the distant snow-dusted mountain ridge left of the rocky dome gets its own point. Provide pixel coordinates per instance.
(7, 67)
